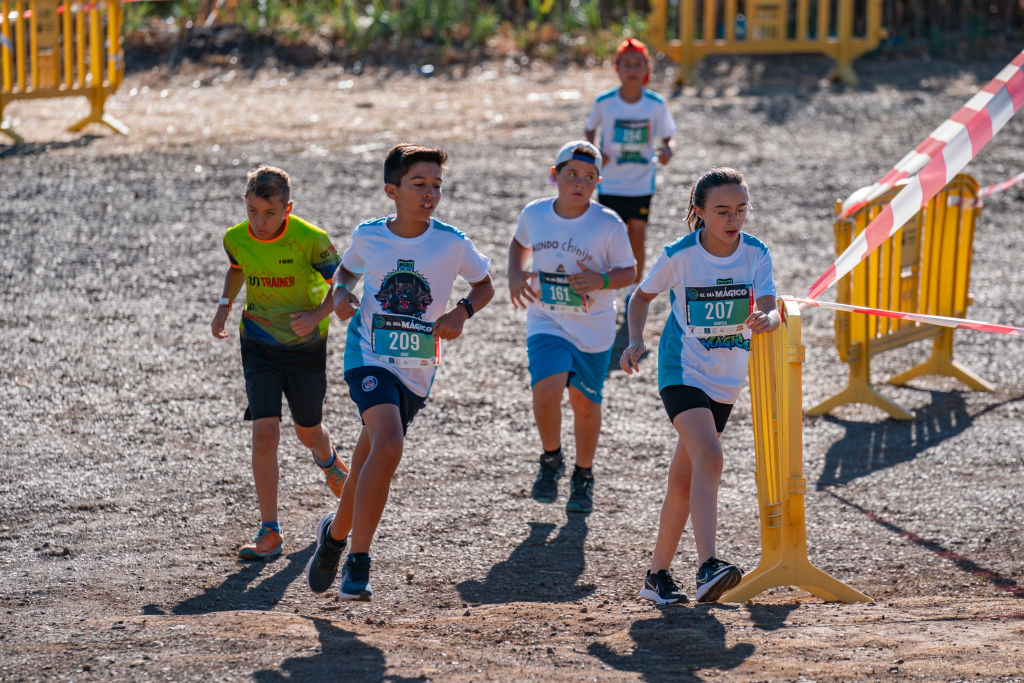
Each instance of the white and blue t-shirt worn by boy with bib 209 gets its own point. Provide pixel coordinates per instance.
(407, 282)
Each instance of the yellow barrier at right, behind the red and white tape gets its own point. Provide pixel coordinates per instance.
(924, 269)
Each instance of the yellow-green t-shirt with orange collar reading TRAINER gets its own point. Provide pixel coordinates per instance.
(288, 275)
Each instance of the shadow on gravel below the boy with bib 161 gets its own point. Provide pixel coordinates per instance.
(538, 571)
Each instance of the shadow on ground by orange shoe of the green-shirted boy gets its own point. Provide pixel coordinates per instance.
(237, 591)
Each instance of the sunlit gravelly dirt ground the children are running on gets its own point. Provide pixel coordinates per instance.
(126, 487)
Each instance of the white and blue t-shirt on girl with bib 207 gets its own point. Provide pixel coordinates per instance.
(704, 288)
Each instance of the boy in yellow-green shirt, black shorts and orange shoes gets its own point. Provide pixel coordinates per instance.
(287, 267)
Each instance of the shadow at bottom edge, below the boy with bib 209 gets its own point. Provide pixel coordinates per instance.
(344, 658)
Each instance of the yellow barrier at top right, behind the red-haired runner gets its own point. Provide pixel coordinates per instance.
(834, 28)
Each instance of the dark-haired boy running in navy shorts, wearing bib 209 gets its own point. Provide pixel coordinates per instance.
(409, 263)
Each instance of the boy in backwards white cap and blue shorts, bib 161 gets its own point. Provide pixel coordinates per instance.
(581, 254)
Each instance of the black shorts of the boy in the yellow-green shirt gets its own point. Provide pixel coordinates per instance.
(300, 374)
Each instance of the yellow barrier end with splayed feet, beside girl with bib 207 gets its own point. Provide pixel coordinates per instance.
(777, 394)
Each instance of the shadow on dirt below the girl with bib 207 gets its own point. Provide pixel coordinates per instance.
(674, 648)
